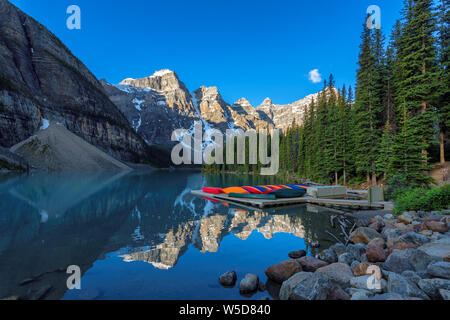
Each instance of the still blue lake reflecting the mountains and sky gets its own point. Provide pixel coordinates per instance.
(141, 235)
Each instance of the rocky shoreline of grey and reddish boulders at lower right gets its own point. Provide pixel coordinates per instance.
(405, 257)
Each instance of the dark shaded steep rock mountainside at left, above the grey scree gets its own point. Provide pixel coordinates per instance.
(42, 81)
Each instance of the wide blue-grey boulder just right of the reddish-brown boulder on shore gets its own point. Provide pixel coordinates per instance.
(409, 259)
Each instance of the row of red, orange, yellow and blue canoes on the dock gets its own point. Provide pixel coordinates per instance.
(267, 192)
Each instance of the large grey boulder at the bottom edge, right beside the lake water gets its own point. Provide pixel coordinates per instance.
(306, 286)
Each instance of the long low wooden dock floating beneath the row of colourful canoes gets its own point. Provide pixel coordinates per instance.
(262, 203)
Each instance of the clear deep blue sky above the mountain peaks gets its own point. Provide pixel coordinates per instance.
(252, 49)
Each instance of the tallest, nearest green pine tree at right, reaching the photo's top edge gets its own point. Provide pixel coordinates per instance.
(417, 81)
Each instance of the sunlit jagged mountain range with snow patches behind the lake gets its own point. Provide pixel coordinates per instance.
(161, 103)
